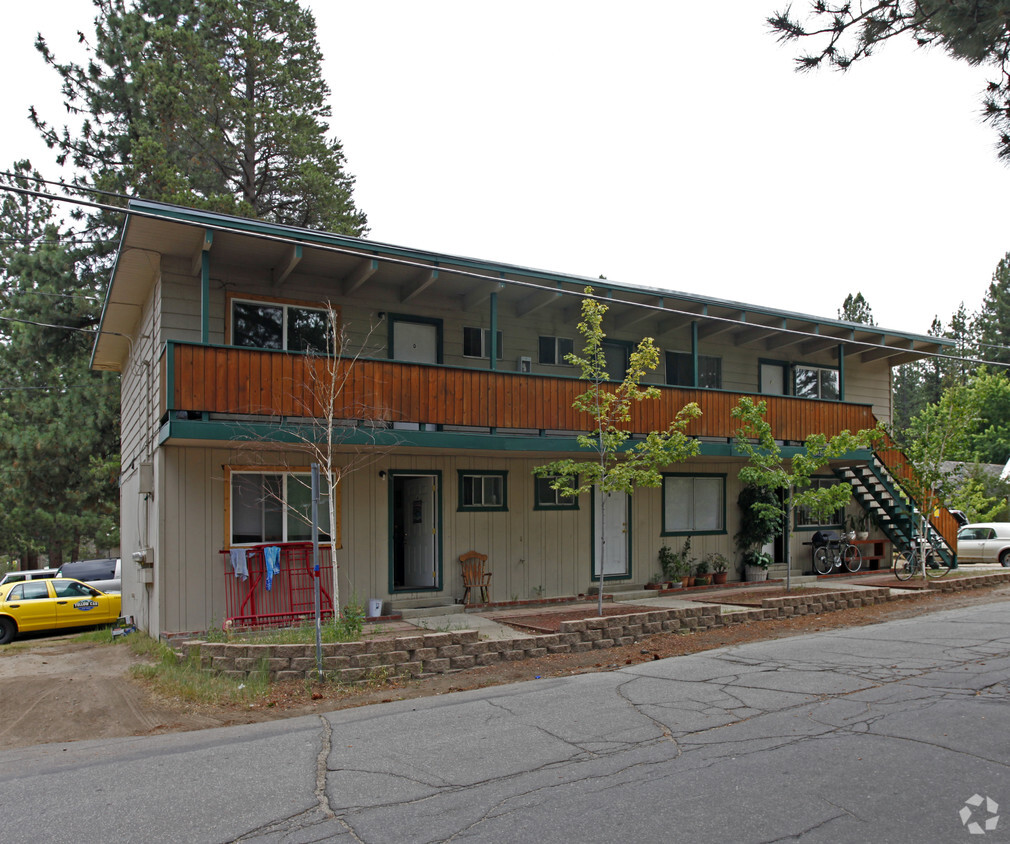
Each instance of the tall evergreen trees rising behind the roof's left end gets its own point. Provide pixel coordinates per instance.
(211, 103)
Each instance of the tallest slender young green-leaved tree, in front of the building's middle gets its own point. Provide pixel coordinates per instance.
(617, 465)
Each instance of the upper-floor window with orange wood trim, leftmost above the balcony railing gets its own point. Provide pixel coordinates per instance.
(278, 326)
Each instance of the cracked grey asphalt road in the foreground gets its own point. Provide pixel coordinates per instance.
(879, 733)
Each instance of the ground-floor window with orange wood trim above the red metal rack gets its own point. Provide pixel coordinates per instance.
(274, 507)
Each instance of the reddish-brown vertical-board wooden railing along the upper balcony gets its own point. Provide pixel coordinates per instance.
(242, 381)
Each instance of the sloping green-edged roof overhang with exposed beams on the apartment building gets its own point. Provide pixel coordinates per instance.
(350, 267)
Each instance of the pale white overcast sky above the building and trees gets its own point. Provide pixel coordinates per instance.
(668, 145)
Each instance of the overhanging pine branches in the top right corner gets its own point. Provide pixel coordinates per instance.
(843, 33)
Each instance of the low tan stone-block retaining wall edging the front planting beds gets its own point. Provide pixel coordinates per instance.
(426, 655)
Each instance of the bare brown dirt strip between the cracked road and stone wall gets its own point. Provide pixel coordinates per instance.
(57, 690)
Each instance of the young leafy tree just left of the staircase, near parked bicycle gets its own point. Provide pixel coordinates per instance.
(771, 470)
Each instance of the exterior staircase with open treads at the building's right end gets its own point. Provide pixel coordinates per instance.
(891, 508)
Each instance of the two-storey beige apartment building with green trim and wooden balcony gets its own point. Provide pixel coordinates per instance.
(458, 396)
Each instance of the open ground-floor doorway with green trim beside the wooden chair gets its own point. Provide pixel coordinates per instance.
(416, 532)
